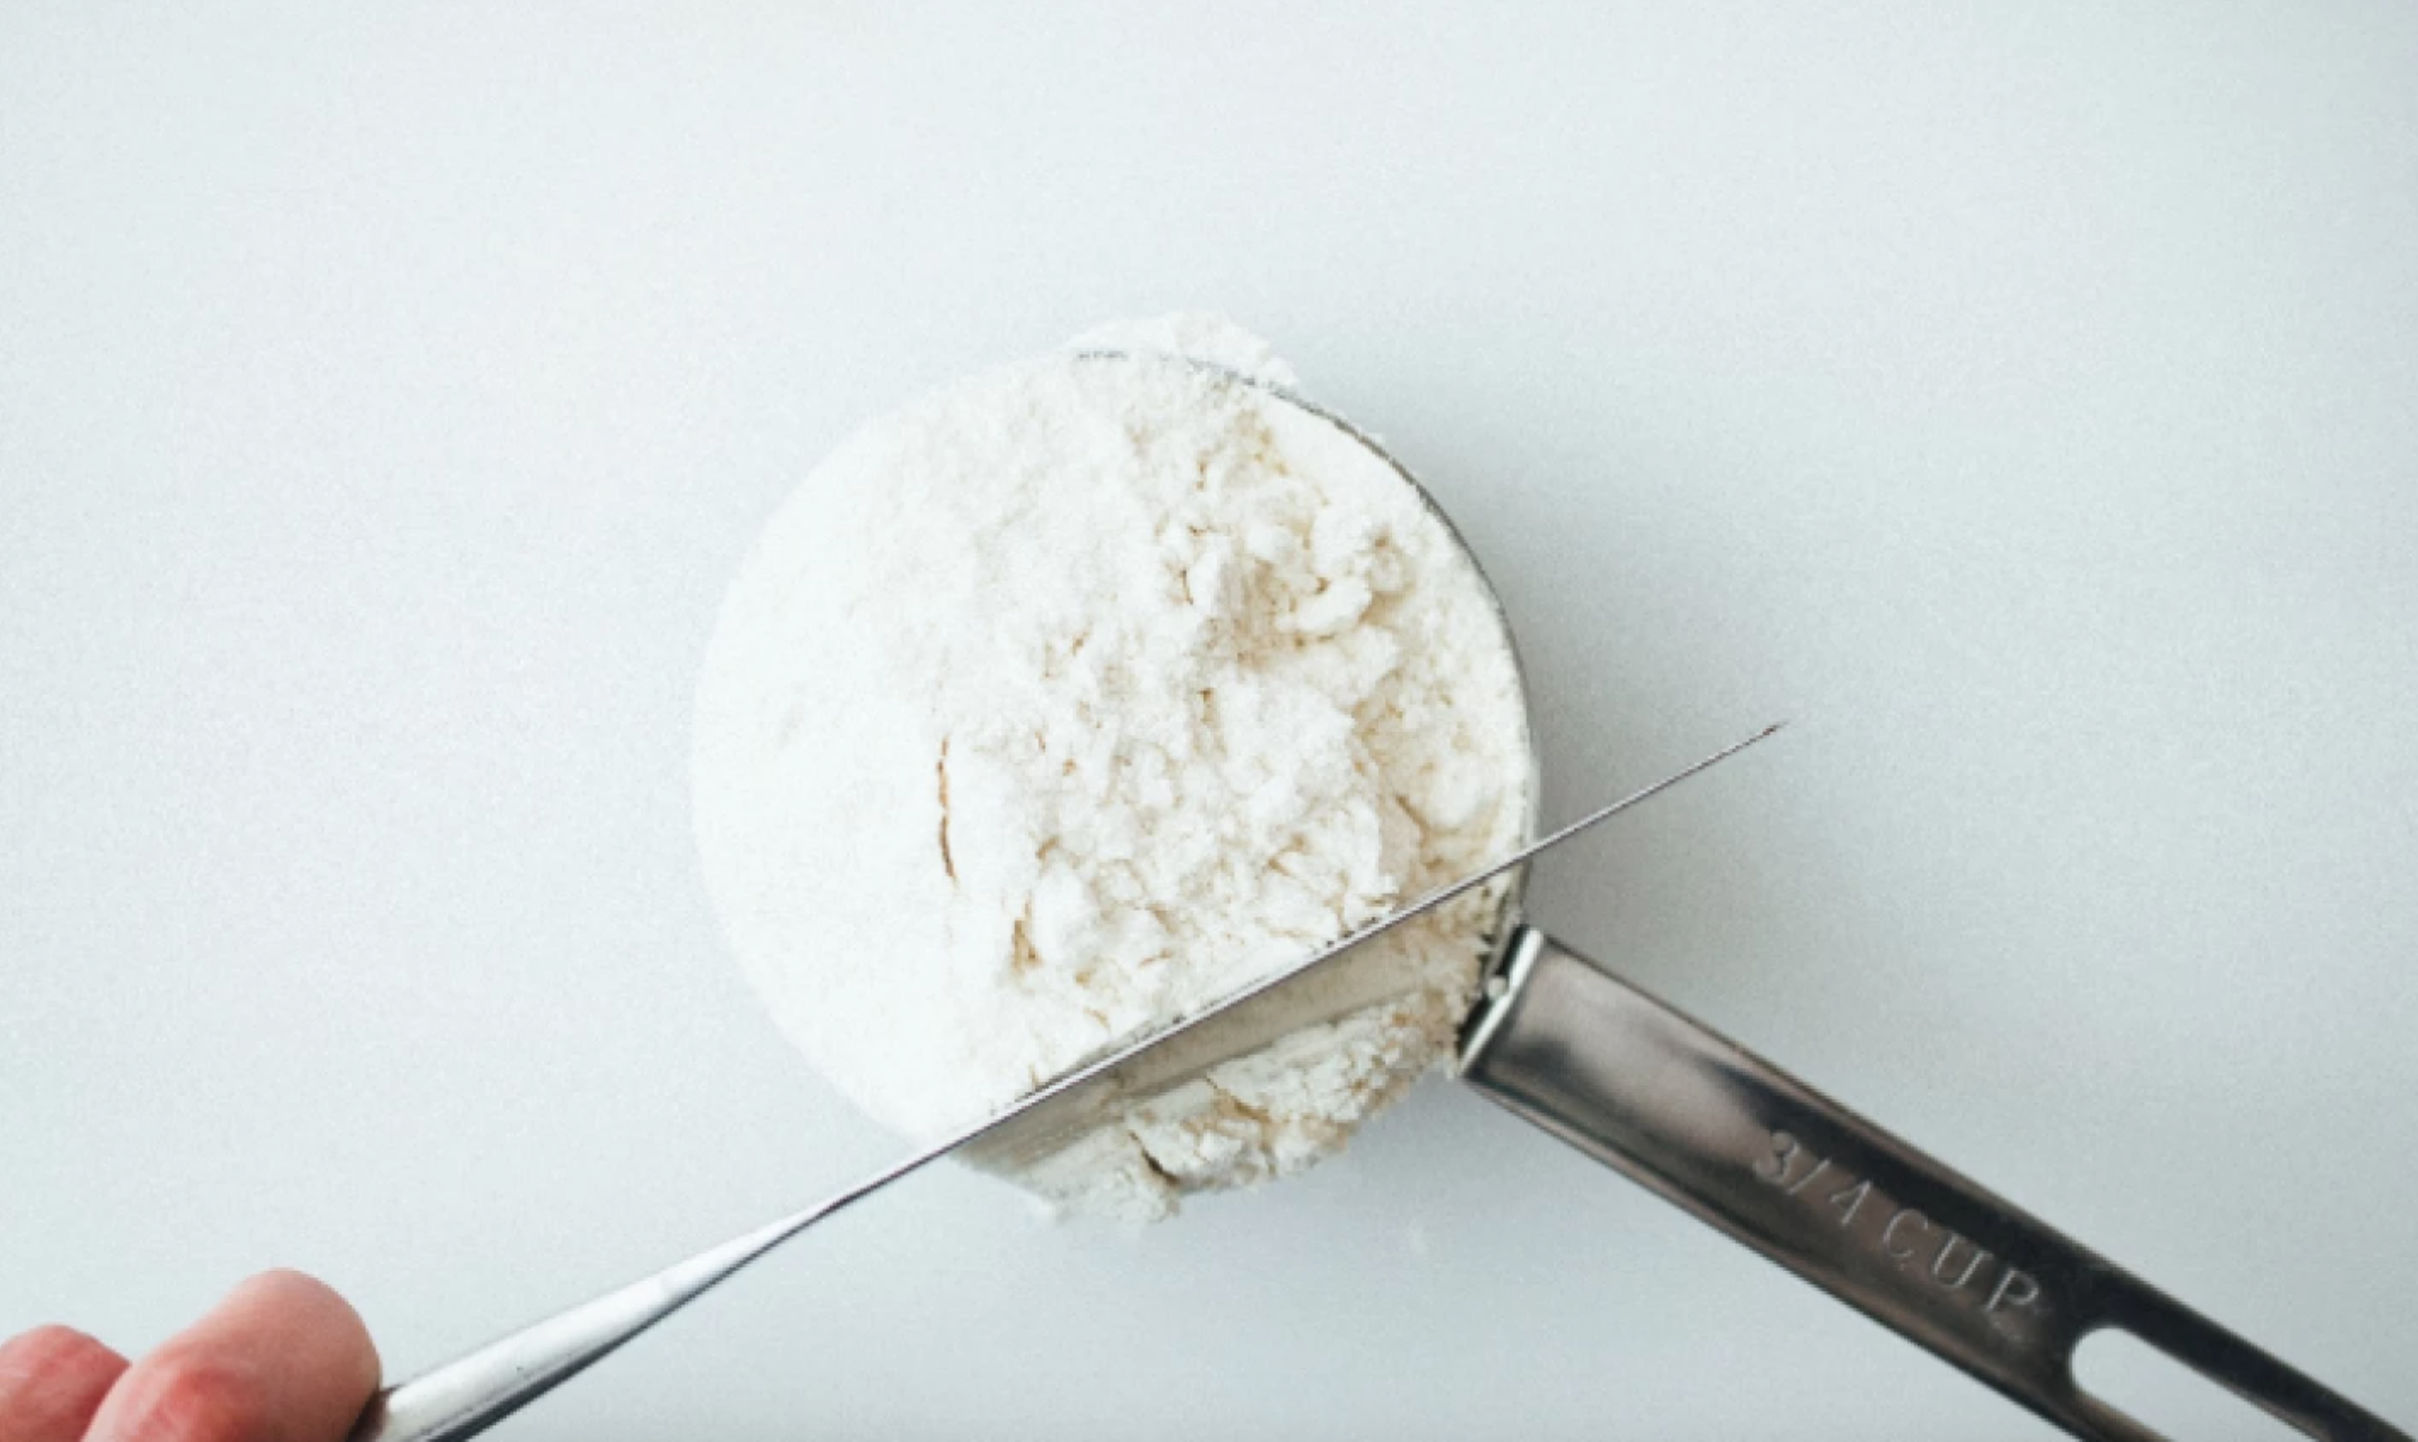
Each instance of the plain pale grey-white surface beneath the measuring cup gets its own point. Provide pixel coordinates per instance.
(2023, 398)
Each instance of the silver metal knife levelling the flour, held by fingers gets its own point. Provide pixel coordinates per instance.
(475, 1392)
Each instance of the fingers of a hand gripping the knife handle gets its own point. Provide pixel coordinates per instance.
(279, 1361)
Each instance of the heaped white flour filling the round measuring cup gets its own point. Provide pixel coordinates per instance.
(1075, 698)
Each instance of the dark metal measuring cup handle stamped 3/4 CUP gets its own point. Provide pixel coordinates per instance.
(1844, 1204)
